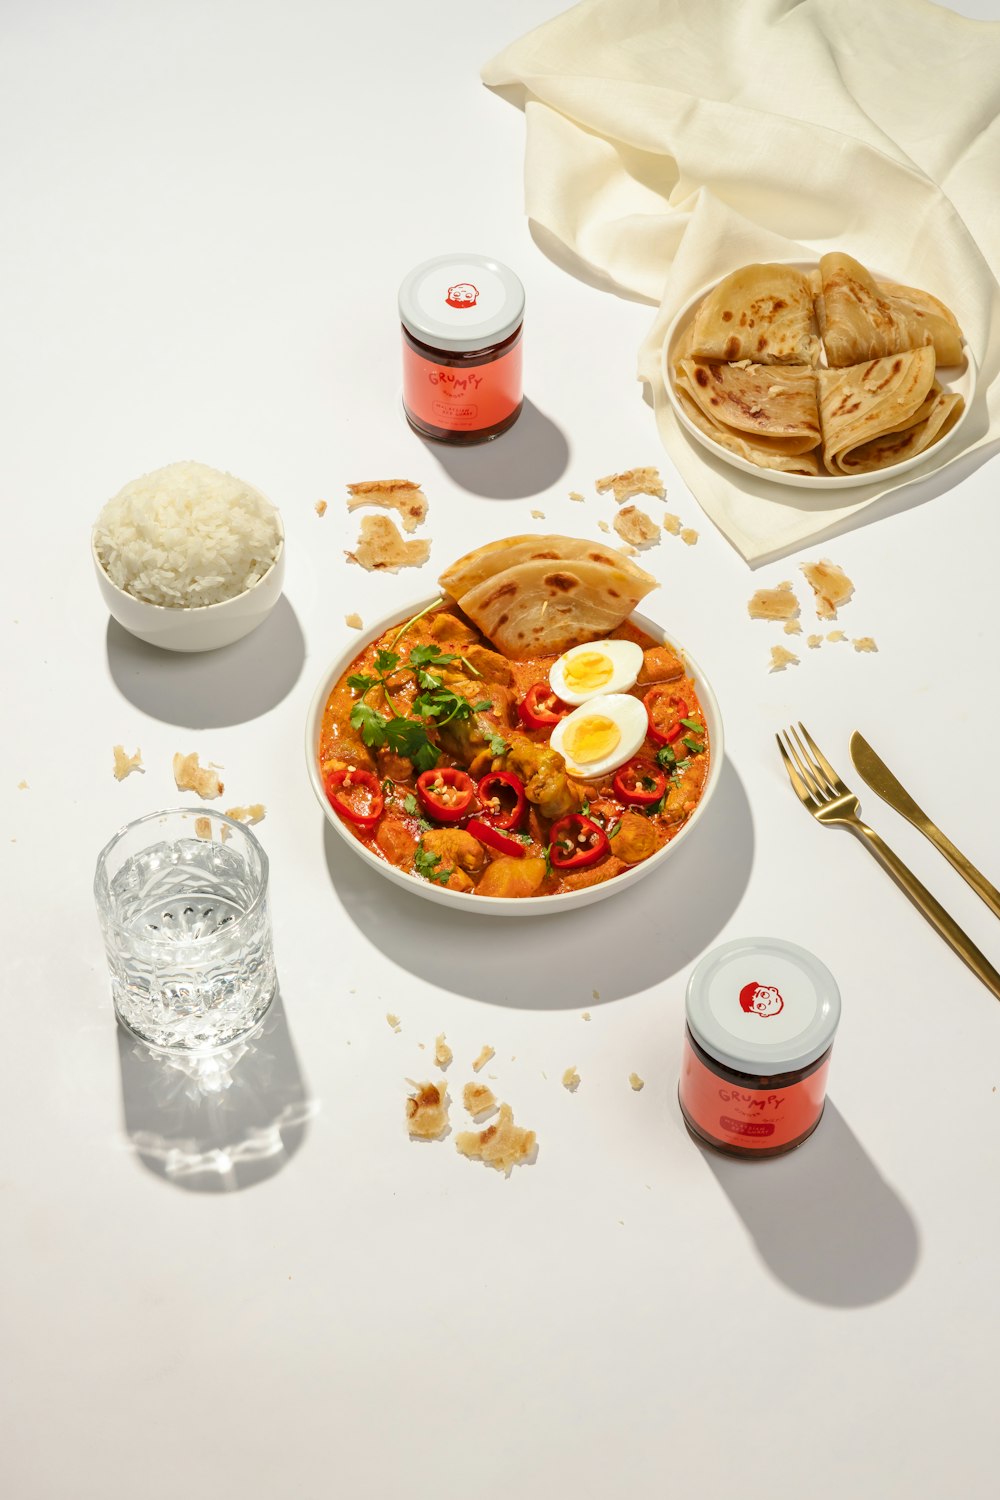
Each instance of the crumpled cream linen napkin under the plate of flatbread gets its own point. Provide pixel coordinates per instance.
(671, 142)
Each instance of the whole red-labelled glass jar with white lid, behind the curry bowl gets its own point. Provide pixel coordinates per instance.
(463, 320)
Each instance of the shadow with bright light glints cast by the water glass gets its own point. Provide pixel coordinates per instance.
(220, 1123)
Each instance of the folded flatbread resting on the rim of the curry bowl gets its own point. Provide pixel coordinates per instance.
(539, 596)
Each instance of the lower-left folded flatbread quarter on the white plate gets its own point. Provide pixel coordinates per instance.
(770, 403)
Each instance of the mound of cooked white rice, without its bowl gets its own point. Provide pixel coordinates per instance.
(187, 536)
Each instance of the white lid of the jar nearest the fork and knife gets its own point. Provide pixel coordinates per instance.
(762, 1006)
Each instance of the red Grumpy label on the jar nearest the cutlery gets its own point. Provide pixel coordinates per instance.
(750, 1120)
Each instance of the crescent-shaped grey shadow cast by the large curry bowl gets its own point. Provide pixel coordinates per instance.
(551, 962)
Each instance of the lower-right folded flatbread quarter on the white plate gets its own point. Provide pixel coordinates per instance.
(866, 404)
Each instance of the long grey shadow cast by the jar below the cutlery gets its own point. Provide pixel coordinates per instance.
(824, 1220)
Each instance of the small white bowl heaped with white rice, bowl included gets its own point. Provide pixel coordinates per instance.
(190, 559)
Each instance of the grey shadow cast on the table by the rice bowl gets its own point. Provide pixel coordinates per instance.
(211, 689)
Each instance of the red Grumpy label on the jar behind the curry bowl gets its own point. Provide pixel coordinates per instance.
(461, 398)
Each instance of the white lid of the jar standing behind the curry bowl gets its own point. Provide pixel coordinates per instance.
(461, 302)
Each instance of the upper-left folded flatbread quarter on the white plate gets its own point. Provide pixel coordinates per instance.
(759, 313)
